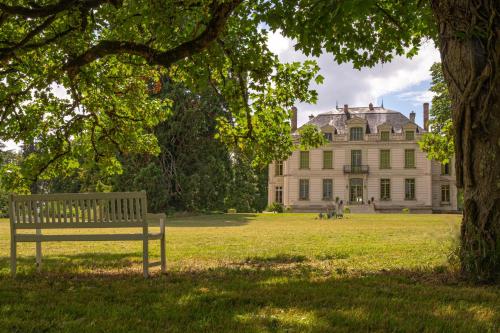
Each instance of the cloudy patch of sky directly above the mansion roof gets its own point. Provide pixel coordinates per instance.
(402, 84)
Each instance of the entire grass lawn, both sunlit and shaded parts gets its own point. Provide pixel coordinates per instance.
(253, 273)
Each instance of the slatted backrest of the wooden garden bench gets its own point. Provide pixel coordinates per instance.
(78, 210)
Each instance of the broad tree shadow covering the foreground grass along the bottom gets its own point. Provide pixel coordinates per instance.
(243, 299)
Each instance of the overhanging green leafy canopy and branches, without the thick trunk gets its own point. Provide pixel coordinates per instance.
(105, 57)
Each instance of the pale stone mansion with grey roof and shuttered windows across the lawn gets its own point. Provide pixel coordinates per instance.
(372, 160)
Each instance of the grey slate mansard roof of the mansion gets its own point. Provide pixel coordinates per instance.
(378, 116)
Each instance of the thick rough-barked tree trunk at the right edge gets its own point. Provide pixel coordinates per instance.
(469, 38)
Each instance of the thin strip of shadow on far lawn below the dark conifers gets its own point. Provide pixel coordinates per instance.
(214, 220)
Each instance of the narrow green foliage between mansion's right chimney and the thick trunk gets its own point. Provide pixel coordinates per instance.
(439, 143)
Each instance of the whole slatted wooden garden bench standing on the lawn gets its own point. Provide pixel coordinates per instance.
(83, 210)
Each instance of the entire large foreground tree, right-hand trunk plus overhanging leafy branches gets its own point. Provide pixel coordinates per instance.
(103, 52)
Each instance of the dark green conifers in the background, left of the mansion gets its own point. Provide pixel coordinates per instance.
(194, 171)
